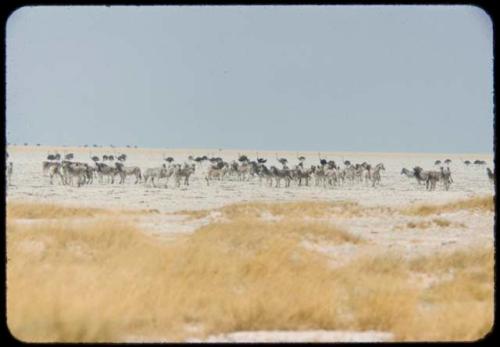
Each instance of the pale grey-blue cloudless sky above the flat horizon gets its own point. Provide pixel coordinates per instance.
(308, 78)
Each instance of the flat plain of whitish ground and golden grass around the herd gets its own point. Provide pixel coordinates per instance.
(245, 261)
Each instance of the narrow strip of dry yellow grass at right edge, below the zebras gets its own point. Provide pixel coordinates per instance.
(484, 203)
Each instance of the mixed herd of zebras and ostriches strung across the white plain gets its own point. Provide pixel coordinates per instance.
(107, 168)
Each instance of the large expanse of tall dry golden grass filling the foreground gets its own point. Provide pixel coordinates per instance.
(101, 281)
